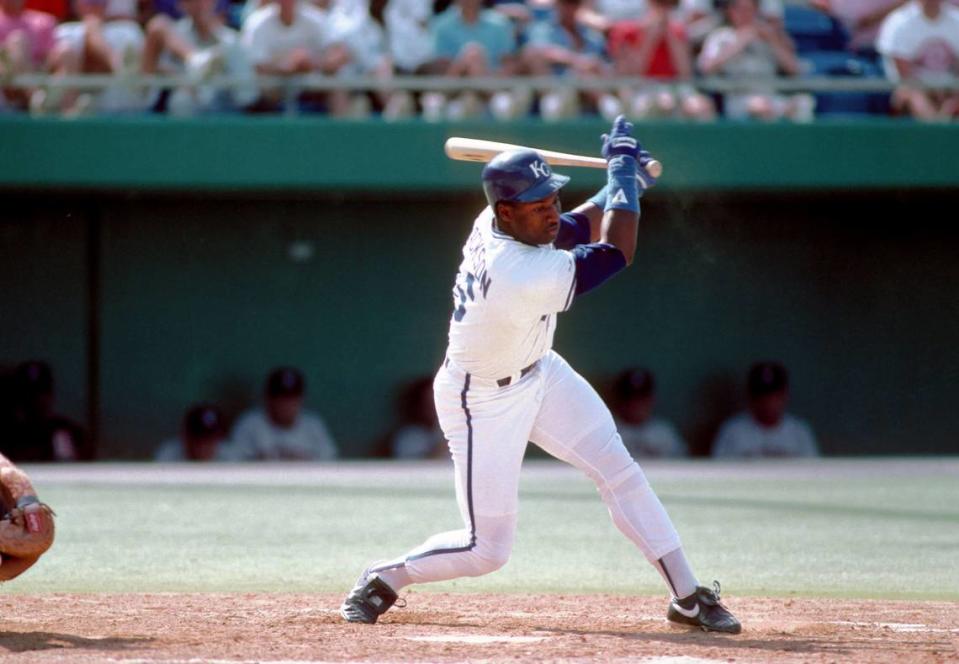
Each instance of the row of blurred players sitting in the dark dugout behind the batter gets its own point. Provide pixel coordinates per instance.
(281, 428)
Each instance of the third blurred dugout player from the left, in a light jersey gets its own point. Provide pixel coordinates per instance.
(283, 429)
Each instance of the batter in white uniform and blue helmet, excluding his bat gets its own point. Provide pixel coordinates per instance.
(501, 385)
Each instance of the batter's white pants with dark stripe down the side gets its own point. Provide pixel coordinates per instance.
(488, 427)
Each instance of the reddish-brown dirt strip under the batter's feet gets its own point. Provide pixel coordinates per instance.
(452, 627)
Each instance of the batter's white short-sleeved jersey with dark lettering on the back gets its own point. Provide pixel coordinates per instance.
(505, 301)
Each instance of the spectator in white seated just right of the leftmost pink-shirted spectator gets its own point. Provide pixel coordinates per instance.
(107, 39)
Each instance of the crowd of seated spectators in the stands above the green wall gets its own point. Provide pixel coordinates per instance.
(666, 46)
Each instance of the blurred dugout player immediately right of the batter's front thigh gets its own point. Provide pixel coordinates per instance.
(643, 434)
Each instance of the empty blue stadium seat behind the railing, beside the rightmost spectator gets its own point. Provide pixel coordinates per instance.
(842, 64)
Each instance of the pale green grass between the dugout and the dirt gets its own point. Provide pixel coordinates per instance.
(874, 532)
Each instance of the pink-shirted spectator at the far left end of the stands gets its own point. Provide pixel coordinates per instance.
(26, 42)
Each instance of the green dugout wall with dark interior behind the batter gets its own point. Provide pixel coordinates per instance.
(155, 263)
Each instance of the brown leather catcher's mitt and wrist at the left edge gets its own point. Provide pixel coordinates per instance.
(26, 524)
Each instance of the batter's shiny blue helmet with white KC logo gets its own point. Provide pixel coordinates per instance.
(519, 175)
